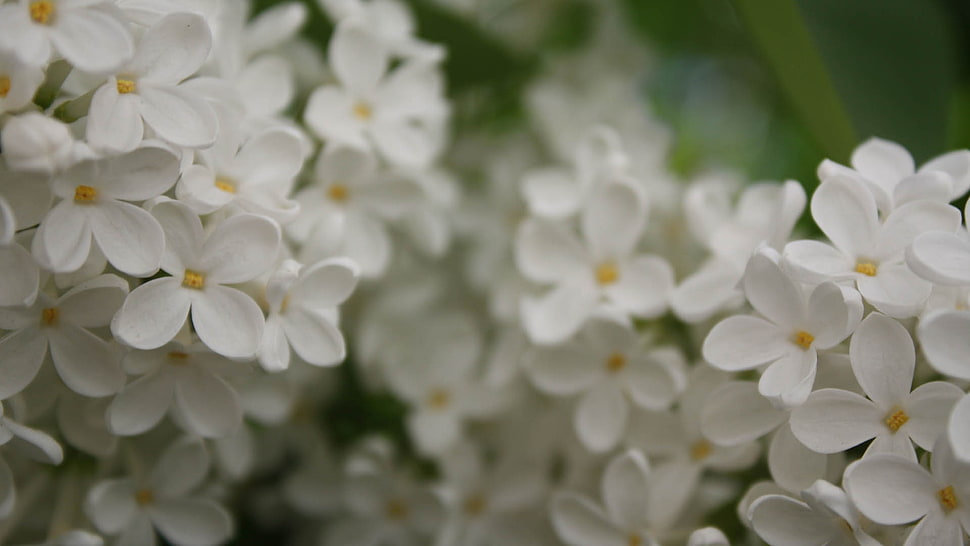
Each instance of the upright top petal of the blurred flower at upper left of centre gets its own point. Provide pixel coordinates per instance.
(357, 58)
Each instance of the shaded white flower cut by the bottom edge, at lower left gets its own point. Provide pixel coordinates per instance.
(162, 501)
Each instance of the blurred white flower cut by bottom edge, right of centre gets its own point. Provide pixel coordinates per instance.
(631, 501)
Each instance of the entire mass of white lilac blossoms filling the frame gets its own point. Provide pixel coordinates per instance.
(588, 351)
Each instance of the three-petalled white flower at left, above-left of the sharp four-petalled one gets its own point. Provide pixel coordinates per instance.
(93, 205)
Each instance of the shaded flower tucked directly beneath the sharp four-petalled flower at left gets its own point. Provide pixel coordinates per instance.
(190, 379)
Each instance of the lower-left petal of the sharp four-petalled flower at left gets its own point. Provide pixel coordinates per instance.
(152, 314)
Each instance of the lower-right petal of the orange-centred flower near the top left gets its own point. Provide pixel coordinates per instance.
(178, 116)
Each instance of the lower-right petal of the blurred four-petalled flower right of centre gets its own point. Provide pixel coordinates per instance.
(643, 286)
